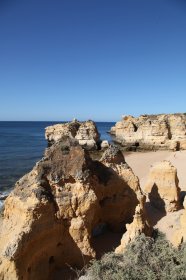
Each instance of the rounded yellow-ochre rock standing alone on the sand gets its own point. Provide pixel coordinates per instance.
(162, 187)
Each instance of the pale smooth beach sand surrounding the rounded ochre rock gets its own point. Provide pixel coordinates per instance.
(141, 162)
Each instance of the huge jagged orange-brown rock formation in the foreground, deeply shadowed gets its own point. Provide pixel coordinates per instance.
(52, 212)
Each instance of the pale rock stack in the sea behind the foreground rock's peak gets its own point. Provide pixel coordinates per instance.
(85, 133)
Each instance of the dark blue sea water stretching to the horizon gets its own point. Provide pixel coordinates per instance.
(22, 144)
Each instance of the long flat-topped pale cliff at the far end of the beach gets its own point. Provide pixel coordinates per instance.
(151, 132)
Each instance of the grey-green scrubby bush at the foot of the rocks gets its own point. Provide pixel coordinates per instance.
(144, 259)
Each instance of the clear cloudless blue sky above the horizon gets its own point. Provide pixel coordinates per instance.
(91, 59)
